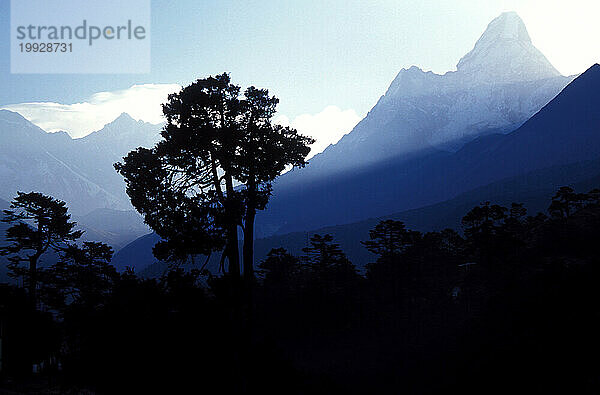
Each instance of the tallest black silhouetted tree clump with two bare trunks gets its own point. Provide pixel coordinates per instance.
(214, 139)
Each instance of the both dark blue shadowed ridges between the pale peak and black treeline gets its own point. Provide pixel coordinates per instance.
(560, 145)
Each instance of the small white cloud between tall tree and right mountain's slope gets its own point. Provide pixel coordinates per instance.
(327, 127)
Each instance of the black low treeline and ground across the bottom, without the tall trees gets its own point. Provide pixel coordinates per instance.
(509, 304)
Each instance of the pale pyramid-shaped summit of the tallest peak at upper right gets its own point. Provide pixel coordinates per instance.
(505, 53)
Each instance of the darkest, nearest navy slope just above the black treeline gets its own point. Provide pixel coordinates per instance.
(535, 189)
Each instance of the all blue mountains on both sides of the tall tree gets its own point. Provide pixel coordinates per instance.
(505, 126)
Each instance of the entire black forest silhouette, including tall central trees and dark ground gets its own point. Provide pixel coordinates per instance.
(506, 303)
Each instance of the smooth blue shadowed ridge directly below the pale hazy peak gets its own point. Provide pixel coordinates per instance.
(565, 131)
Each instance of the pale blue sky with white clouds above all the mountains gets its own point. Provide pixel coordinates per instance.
(328, 62)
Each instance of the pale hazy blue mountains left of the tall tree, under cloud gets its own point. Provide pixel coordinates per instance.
(78, 171)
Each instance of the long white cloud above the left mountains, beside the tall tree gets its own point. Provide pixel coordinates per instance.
(142, 102)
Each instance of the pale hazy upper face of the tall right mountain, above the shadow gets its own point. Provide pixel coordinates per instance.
(497, 86)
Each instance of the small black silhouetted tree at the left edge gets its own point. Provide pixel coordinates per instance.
(39, 224)
